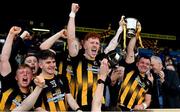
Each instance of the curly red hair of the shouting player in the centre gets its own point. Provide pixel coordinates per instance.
(92, 35)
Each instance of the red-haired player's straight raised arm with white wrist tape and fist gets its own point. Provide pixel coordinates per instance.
(73, 43)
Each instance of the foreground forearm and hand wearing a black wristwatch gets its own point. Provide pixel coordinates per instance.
(98, 95)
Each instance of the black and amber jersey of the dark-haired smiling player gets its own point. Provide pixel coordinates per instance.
(52, 98)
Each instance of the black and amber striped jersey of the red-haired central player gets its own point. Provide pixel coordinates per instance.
(85, 76)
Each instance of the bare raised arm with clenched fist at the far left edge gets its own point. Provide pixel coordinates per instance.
(6, 50)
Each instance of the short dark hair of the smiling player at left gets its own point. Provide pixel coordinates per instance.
(44, 54)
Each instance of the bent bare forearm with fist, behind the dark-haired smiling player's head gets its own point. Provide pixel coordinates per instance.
(47, 44)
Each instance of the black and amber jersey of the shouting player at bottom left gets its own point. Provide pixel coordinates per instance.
(10, 96)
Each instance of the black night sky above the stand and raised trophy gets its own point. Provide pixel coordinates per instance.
(157, 17)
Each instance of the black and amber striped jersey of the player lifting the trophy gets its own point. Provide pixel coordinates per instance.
(133, 88)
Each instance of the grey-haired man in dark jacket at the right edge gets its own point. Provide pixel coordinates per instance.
(167, 95)
